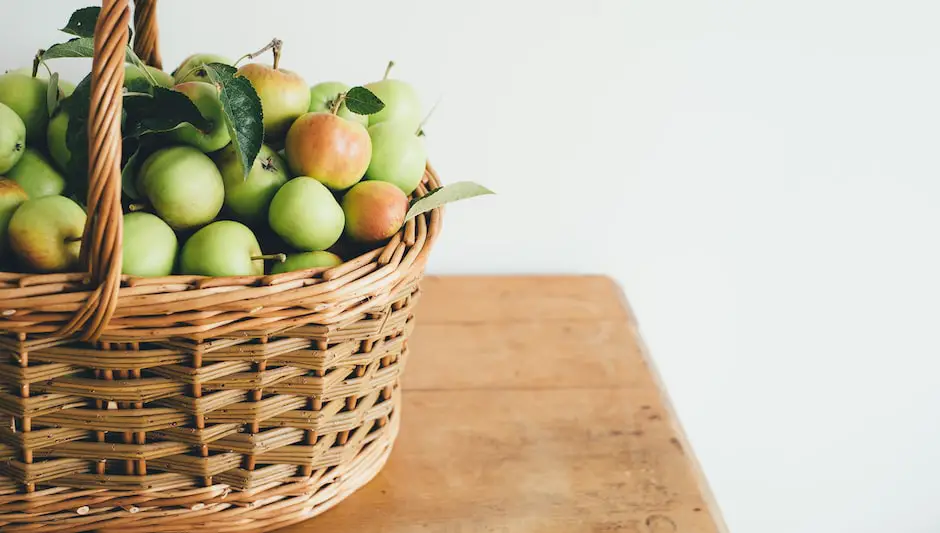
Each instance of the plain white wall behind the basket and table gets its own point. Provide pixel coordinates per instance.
(762, 177)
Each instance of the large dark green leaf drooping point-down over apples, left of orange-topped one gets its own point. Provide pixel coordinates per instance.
(242, 109)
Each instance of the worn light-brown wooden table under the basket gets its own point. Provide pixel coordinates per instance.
(530, 406)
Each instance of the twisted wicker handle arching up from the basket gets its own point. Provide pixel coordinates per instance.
(103, 233)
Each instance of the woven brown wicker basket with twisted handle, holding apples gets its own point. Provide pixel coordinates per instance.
(187, 403)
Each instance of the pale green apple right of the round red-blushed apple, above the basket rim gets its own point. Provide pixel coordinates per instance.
(398, 156)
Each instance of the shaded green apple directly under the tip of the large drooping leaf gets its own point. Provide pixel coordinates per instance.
(248, 198)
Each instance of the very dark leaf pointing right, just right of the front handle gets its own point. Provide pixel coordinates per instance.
(164, 110)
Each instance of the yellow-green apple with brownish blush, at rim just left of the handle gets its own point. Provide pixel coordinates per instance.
(45, 234)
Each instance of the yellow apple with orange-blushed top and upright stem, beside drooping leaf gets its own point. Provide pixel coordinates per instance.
(284, 96)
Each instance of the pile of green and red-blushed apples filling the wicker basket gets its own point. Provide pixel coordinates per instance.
(326, 181)
